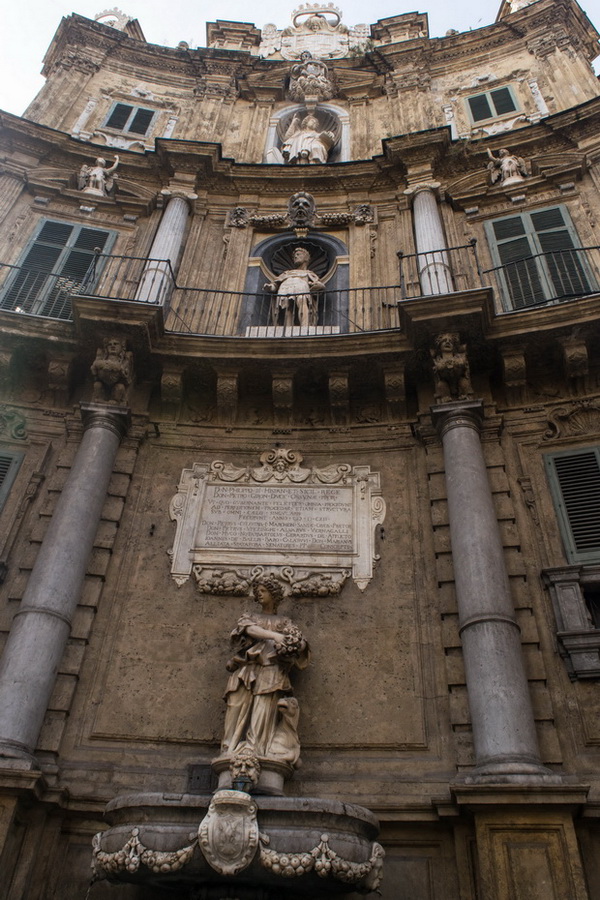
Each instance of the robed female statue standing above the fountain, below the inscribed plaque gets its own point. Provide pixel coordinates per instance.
(262, 715)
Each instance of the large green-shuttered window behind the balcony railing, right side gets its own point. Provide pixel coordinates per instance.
(538, 258)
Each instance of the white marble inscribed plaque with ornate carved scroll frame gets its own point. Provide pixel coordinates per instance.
(310, 527)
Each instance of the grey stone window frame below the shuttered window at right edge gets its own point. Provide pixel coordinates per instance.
(577, 634)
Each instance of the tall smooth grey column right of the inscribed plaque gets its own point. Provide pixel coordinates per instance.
(502, 718)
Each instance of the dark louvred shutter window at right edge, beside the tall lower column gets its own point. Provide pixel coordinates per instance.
(574, 478)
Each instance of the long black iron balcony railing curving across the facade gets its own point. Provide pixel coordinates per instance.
(536, 280)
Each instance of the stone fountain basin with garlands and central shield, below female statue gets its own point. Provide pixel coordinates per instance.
(267, 848)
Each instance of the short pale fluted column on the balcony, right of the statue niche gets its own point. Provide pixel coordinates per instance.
(432, 261)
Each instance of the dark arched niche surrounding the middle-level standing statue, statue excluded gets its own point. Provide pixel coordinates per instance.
(272, 256)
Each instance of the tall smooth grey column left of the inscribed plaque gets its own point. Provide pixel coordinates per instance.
(41, 626)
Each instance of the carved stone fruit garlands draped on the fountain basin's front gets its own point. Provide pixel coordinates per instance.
(322, 859)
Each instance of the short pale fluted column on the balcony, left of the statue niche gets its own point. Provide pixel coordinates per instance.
(156, 281)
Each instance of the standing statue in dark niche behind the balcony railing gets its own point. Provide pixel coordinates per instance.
(295, 302)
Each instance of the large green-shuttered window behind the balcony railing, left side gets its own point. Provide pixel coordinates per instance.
(52, 268)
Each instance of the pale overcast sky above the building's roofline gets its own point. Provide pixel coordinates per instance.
(28, 26)
